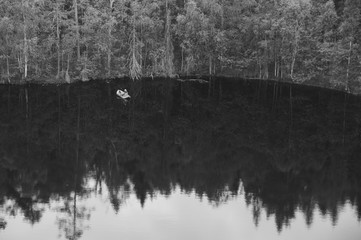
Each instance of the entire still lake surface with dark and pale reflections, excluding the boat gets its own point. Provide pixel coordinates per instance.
(175, 163)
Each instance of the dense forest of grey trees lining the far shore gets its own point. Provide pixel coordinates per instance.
(301, 40)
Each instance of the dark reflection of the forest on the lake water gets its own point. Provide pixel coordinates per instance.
(300, 156)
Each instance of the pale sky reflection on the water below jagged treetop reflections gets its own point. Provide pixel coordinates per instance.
(180, 216)
